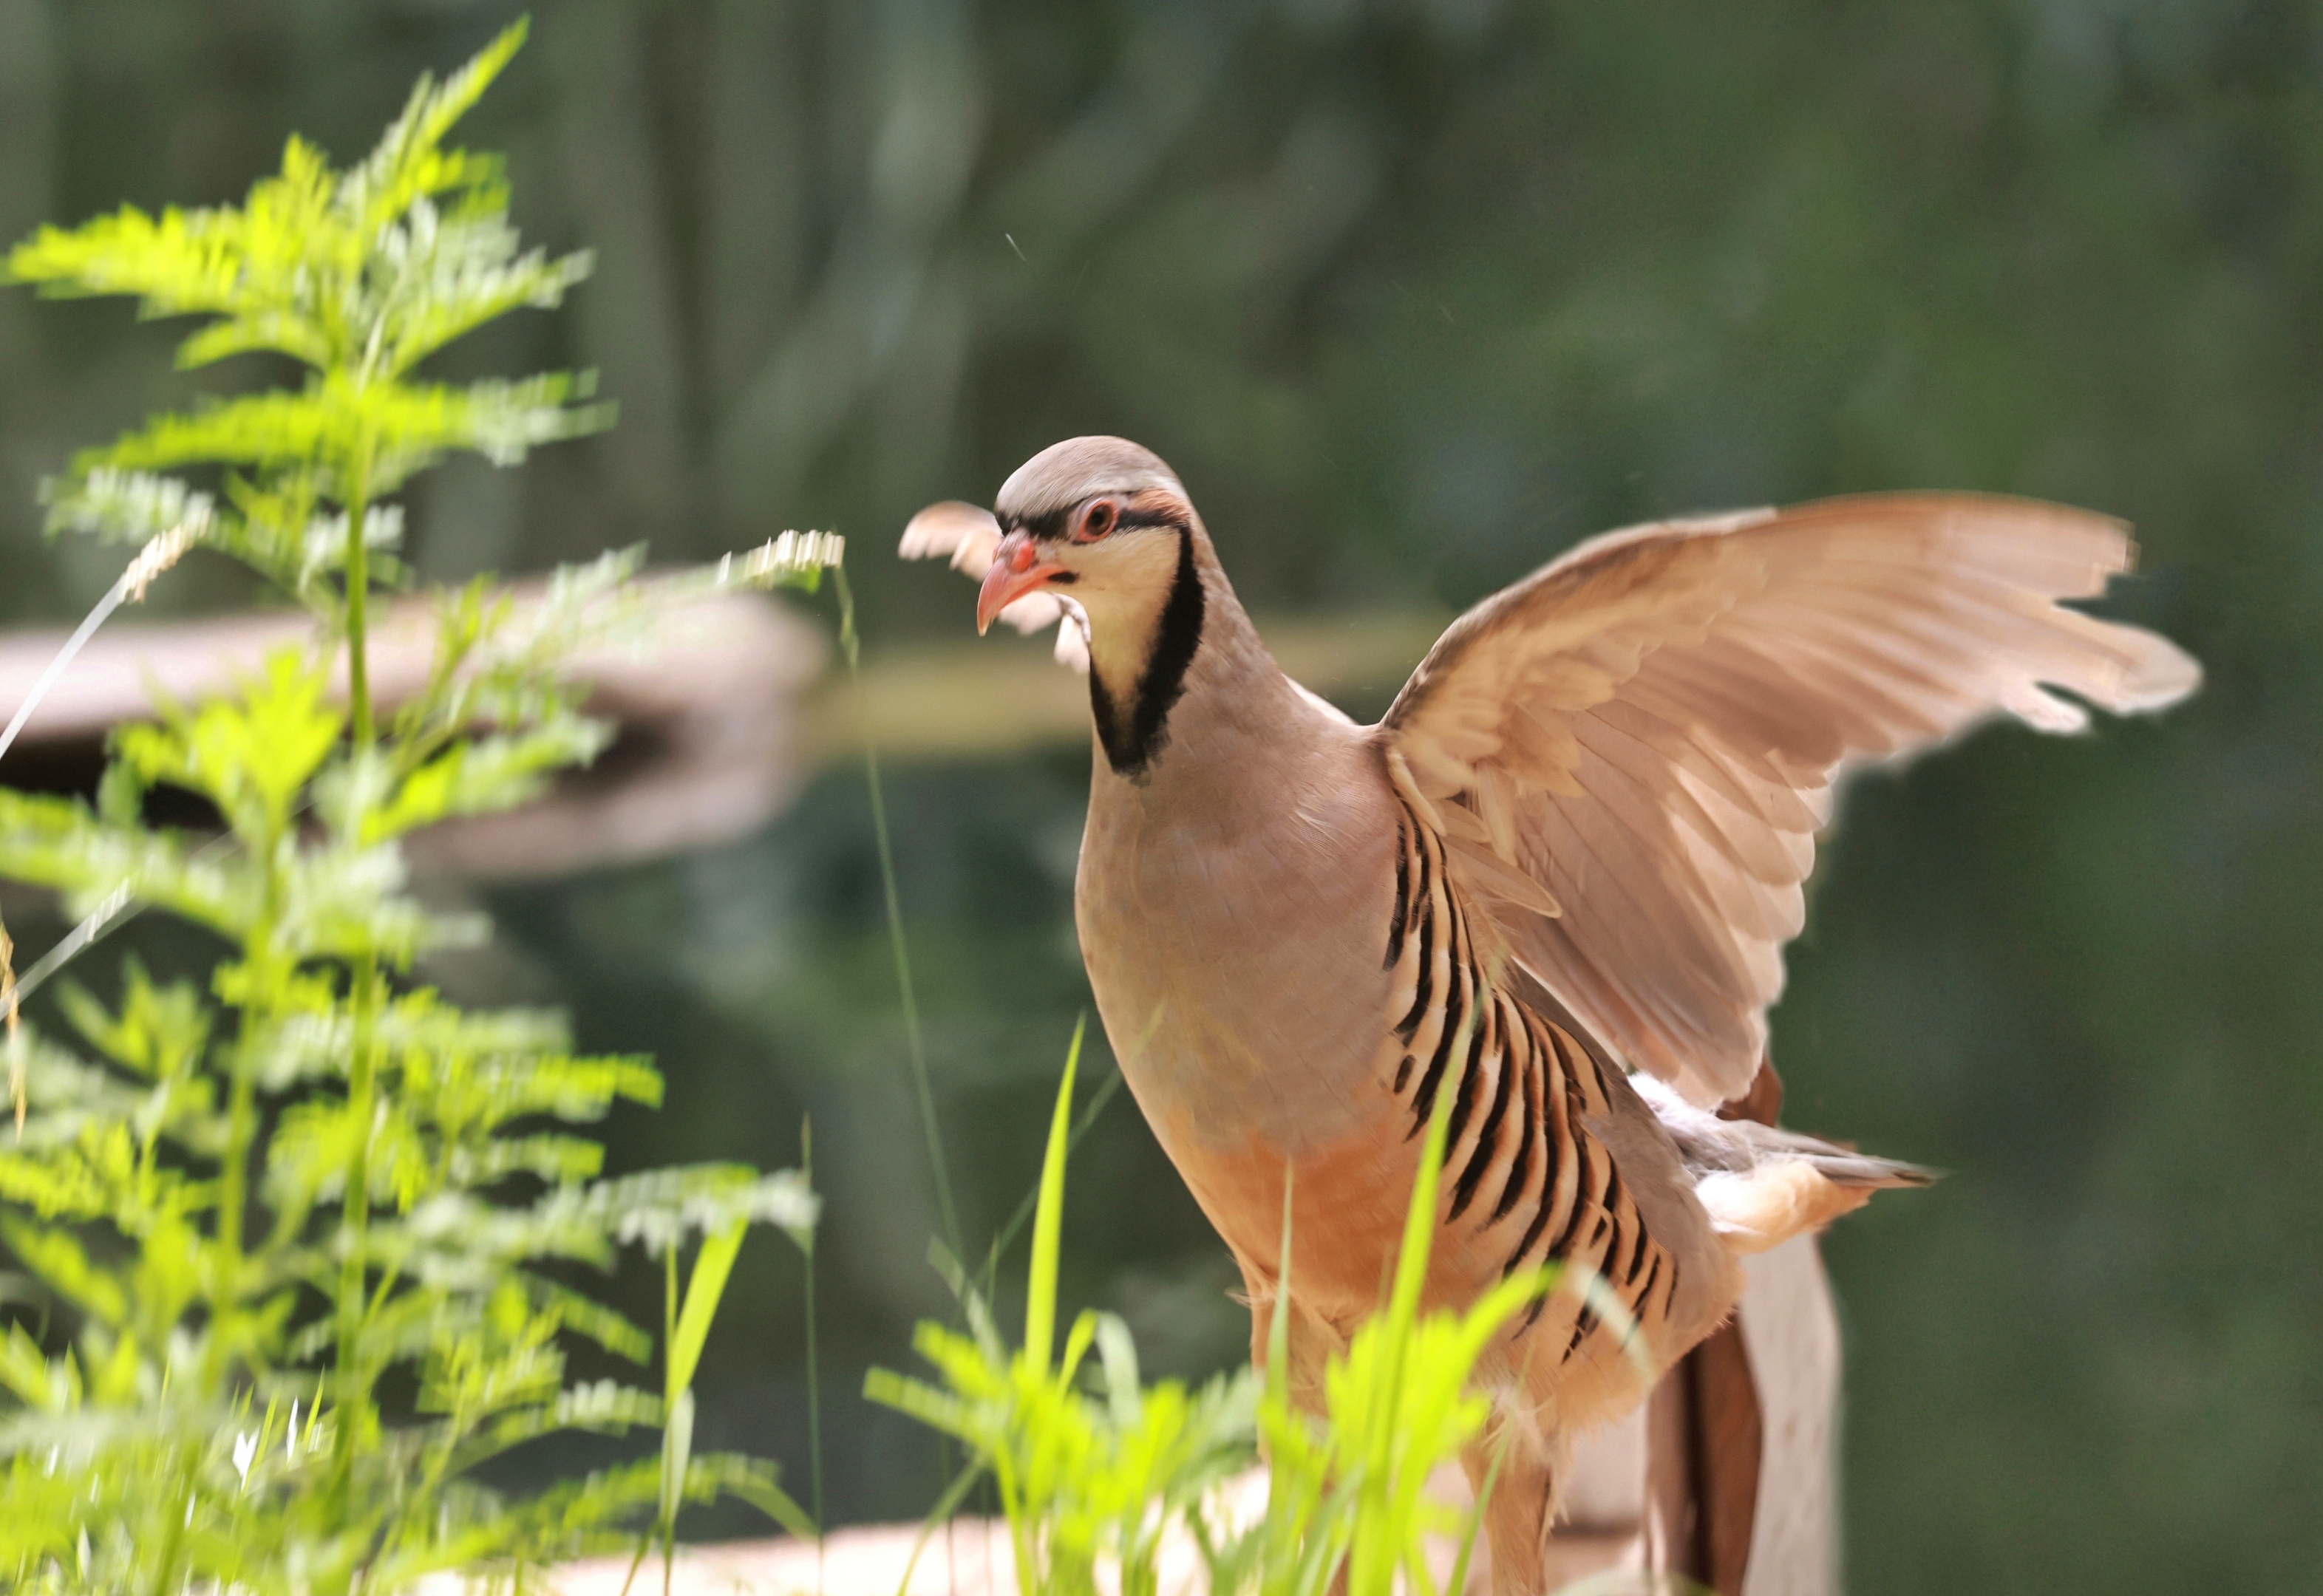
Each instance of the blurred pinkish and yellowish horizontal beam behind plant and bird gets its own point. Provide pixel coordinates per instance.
(717, 728)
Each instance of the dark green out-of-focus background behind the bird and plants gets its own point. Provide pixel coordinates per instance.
(1414, 294)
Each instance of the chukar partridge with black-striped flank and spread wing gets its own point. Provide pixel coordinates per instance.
(1553, 886)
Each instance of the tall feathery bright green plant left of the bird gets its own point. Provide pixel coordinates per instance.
(331, 1184)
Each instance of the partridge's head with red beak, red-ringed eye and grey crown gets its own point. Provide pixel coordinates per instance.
(1100, 522)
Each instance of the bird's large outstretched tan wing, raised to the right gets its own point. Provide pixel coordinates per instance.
(1630, 752)
